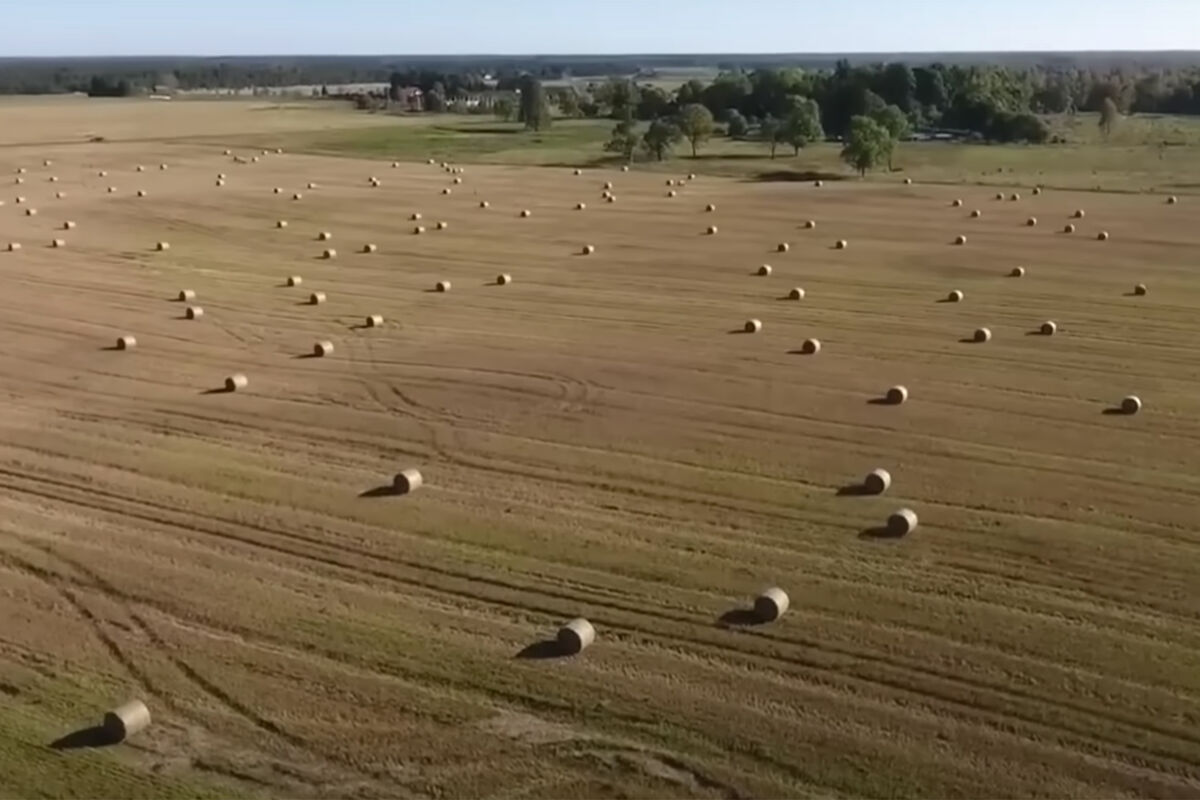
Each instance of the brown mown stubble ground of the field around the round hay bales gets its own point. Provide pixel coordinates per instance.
(598, 438)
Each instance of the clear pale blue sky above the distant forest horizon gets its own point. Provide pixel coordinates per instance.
(527, 27)
